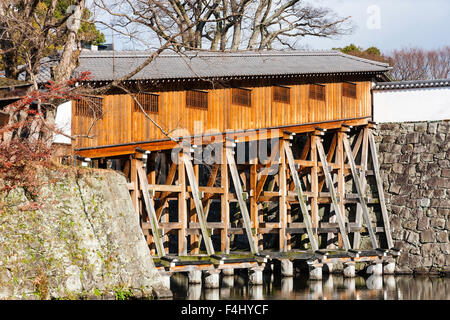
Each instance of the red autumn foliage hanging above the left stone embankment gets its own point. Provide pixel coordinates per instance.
(22, 148)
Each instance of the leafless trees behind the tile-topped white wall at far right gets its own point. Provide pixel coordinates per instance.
(420, 64)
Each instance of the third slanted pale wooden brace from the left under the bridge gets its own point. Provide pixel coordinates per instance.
(239, 194)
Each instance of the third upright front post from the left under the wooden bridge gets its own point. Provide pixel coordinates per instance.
(224, 204)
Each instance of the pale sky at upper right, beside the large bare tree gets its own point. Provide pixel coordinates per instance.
(423, 23)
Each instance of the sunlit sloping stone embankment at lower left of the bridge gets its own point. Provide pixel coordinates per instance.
(84, 242)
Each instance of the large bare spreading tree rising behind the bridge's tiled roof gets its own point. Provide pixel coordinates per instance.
(227, 24)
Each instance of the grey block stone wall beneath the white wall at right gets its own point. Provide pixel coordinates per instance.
(415, 167)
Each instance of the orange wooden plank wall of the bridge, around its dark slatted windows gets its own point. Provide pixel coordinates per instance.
(122, 124)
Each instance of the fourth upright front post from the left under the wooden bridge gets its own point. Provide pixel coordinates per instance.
(282, 208)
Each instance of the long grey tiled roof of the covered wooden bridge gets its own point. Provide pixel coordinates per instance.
(109, 65)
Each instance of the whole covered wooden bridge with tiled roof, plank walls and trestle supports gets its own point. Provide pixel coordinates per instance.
(235, 160)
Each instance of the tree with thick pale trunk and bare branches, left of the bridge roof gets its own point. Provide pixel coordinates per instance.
(29, 33)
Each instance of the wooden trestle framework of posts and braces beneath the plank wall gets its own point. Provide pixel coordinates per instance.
(309, 194)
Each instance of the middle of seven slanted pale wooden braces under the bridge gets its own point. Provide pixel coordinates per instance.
(301, 198)
